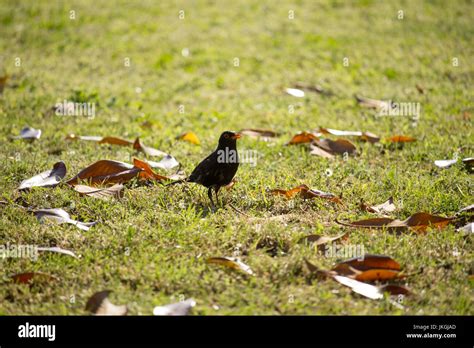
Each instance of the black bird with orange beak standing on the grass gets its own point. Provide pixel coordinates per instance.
(217, 169)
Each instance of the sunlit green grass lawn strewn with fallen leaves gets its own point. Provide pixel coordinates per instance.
(150, 247)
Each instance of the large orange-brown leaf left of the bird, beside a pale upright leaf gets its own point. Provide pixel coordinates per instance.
(105, 172)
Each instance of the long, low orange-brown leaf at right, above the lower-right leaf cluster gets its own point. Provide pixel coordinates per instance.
(417, 222)
